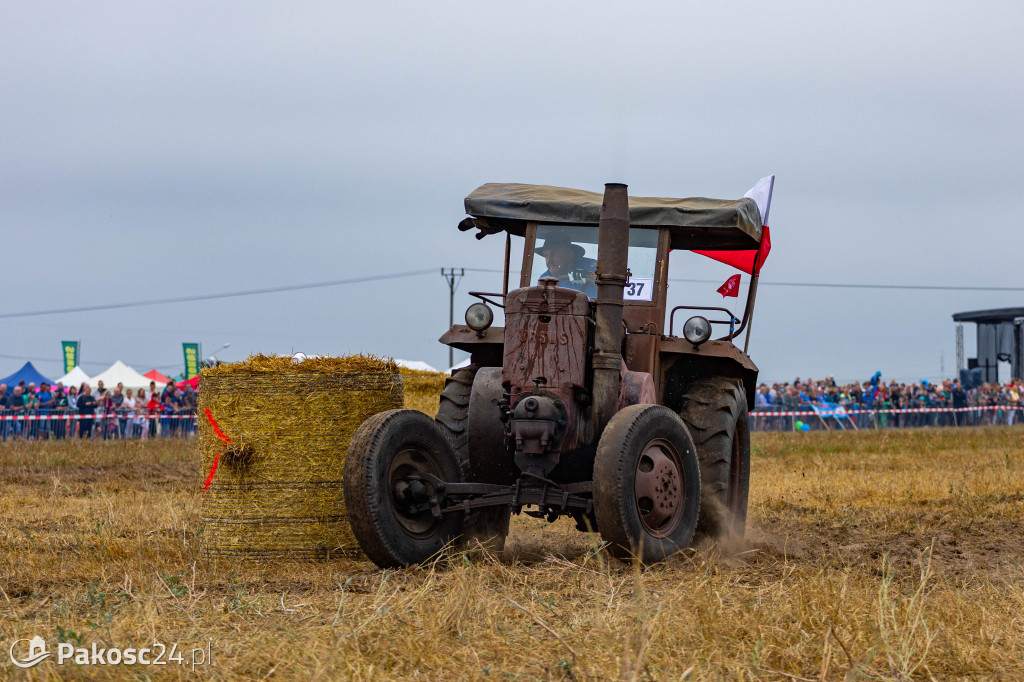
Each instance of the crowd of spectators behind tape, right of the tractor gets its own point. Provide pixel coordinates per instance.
(877, 402)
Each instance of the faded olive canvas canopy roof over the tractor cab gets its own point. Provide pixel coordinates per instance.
(694, 224)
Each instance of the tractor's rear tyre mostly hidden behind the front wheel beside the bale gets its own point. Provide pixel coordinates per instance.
(485, 528)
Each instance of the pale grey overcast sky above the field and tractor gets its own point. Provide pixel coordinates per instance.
(161, 150)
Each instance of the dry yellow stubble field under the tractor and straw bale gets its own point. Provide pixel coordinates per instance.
(873, 556)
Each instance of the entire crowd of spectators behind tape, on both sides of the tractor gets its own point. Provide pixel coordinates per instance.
(120, 413)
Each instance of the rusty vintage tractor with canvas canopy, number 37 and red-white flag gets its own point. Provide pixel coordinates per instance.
(586, 404)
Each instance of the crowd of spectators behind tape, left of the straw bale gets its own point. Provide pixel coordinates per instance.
(103, 413)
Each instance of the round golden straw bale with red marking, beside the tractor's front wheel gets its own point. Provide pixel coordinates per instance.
(284, 429)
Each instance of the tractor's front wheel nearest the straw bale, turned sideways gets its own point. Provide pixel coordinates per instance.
(389, 507)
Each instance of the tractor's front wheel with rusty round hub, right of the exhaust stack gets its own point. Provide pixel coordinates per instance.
(647, 484)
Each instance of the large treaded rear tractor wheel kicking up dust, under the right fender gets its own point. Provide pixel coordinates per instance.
(715, 410)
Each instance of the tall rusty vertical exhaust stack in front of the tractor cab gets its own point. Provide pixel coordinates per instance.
(613, 245)
